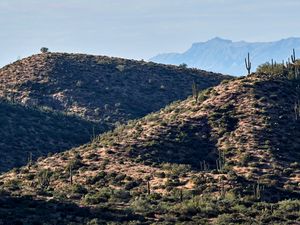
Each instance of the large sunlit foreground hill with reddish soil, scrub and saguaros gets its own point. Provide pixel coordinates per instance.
(228, 155)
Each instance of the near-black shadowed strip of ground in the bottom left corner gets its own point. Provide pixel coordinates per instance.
(29, 211)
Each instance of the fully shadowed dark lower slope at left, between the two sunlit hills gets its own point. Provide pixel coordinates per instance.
(28, 133)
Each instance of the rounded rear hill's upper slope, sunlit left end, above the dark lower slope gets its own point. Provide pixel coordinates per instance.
(97, 87)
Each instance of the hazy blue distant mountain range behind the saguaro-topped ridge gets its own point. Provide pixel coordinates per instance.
(226, 56)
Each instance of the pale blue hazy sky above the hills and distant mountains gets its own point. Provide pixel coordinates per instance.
(138, 28)
